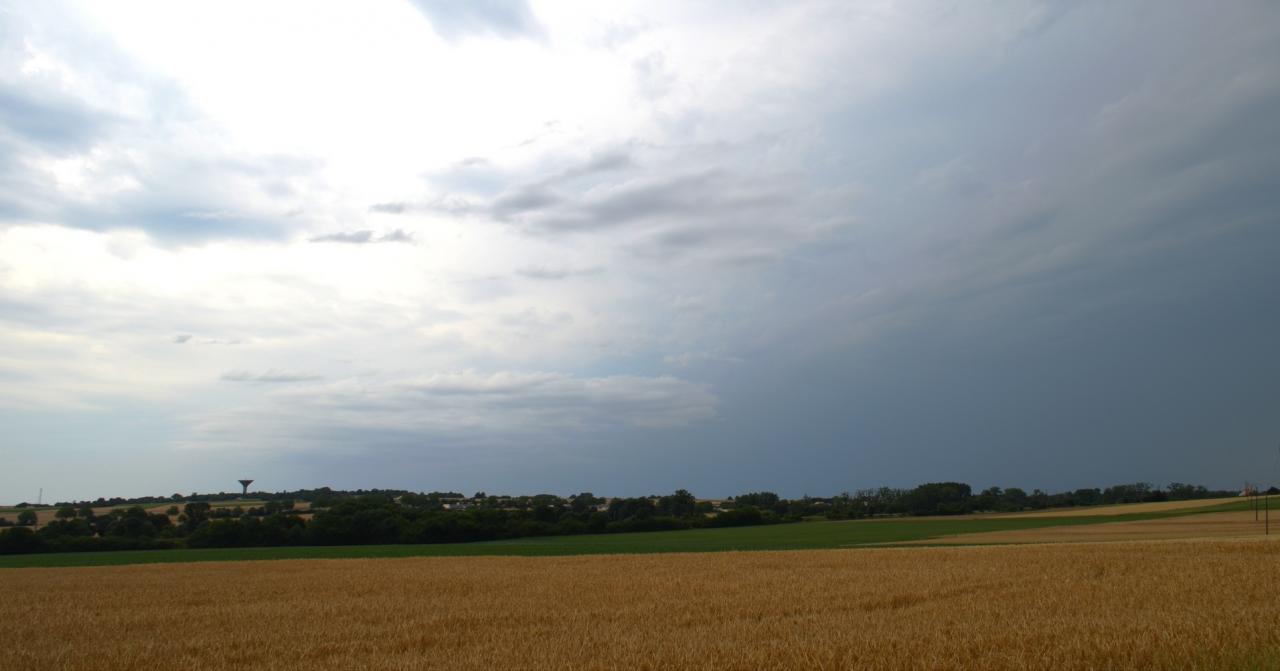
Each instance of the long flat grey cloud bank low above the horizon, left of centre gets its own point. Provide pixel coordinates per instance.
(465, 407)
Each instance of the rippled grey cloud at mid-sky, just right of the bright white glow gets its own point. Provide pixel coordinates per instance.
(664, 204)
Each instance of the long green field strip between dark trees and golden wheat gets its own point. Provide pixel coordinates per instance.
(802, 536)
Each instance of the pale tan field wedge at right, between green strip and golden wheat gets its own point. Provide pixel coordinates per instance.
(1206, 526)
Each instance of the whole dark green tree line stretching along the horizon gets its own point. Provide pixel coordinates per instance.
(346, 518)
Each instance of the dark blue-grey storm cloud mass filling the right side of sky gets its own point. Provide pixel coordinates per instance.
(1075, 296)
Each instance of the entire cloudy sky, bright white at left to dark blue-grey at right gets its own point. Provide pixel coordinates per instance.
(630, 248)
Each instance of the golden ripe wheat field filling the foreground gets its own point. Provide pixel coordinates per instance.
(1163, 605)
